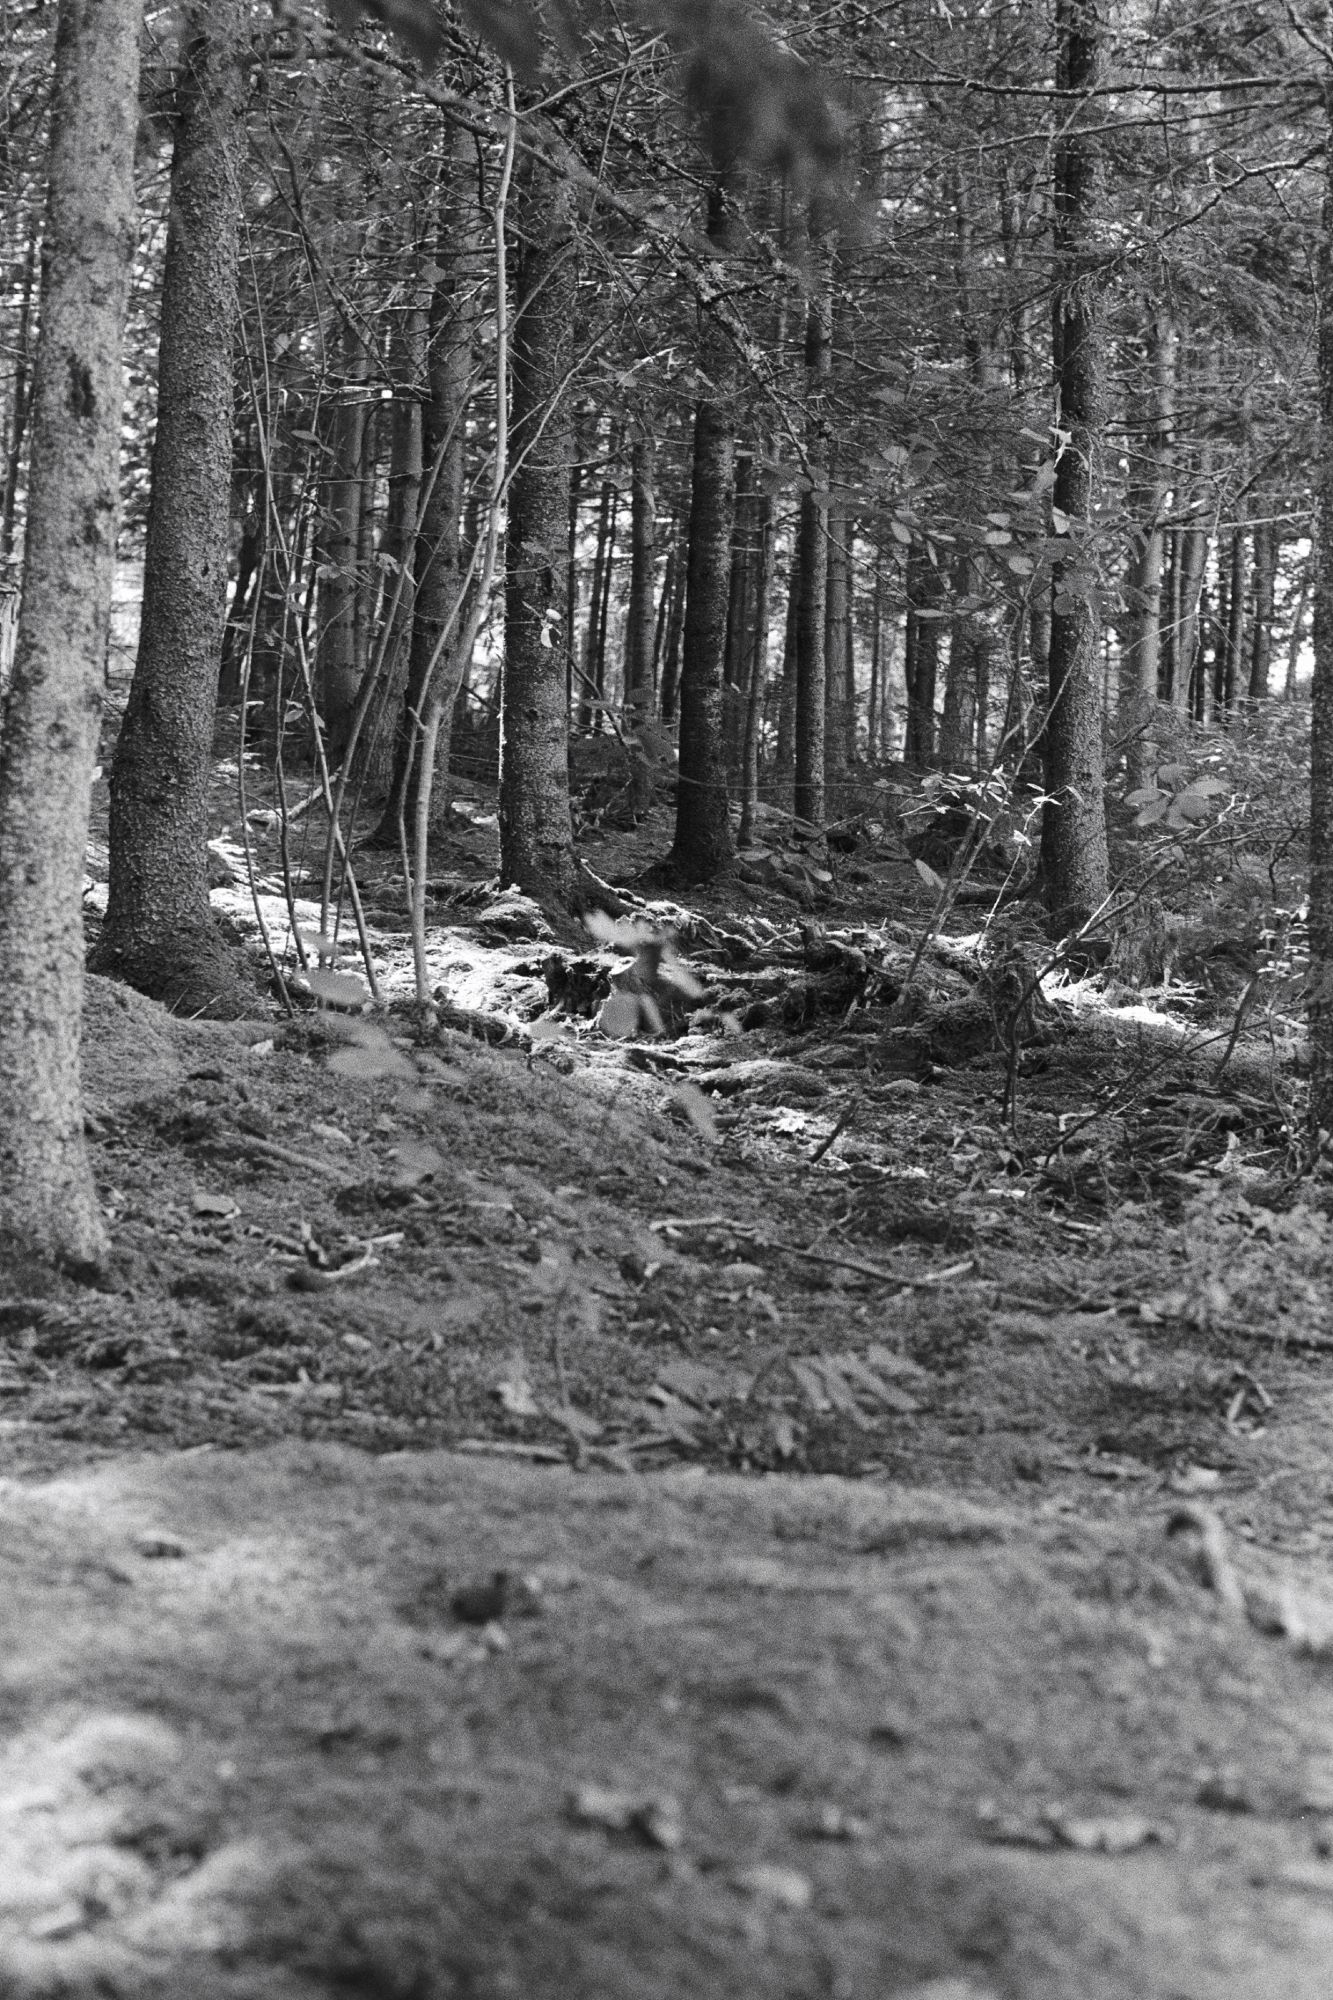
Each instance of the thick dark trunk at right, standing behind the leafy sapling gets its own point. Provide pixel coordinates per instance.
(1074, 835)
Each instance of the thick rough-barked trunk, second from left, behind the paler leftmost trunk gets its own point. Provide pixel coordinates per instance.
(159, 931)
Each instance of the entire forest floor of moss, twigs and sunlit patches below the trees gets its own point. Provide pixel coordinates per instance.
(613, 1515)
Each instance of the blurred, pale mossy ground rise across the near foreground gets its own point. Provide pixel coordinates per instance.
(726, 1735)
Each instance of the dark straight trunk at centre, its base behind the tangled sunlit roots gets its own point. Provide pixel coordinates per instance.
(704, 845)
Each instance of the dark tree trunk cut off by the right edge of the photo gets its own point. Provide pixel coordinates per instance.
(1322, 691)
